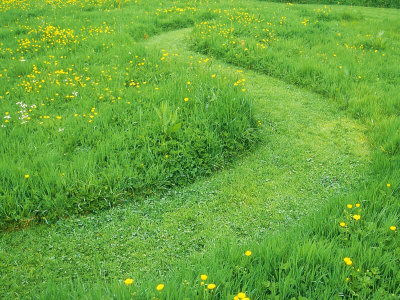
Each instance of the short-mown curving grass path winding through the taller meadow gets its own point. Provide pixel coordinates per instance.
(311, 151)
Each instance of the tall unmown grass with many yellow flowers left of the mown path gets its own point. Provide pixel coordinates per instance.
(90, 119)
